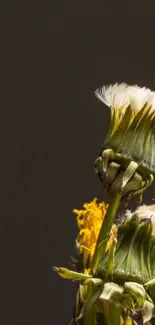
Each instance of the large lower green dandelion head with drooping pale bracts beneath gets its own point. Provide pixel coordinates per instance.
(131, 286)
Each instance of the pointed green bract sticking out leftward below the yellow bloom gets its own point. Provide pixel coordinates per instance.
(68, 274)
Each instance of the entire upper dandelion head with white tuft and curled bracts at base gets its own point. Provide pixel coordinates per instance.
(128, 162)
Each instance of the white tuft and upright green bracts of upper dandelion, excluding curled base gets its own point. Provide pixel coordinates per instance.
(132, 128)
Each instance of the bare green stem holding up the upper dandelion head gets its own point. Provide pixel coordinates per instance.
(105, 229)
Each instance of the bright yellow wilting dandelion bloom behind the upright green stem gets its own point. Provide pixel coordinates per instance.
(89, 221)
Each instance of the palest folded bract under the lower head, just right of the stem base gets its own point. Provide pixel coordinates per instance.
(111, 290)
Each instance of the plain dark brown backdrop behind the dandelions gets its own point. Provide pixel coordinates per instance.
(52, 58)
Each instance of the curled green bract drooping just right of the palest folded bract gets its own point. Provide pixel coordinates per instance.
(136, 290)
